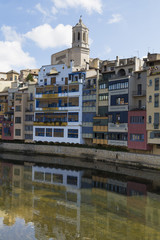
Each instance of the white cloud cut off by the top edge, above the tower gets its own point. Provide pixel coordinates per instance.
(89, 5)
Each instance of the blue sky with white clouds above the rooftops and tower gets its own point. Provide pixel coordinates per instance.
(31, 31)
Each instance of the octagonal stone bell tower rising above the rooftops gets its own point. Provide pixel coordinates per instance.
(80, 35)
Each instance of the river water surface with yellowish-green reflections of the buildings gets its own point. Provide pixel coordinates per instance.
(64, 204)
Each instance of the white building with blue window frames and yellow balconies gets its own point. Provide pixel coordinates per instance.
(58, 105)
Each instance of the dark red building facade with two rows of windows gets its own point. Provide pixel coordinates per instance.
(137, 134)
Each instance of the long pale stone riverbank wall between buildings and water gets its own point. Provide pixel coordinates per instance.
(87, 154)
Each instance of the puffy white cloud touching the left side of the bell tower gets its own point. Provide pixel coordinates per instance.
(47, 37)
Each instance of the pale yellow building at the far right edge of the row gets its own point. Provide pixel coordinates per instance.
(153, 101)
